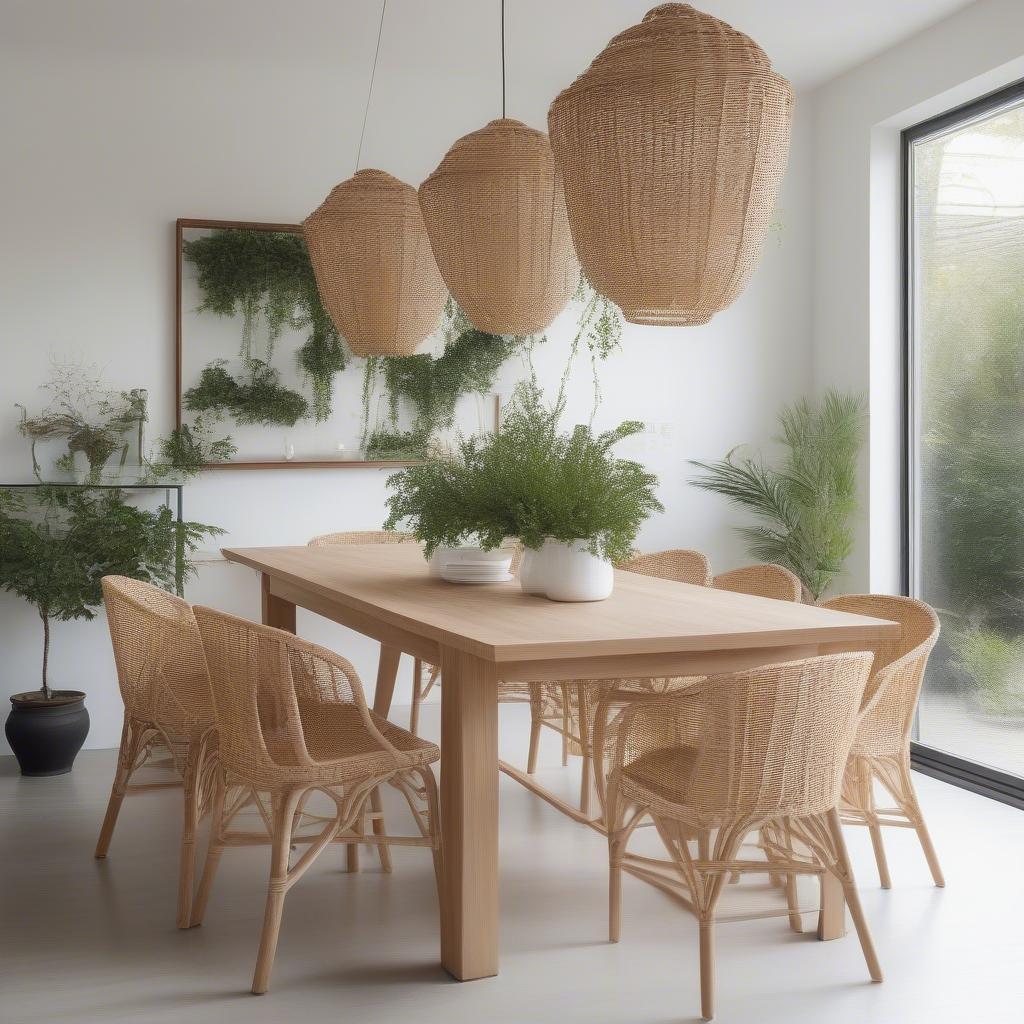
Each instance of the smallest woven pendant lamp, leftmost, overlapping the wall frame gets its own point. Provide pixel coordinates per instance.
(374, 267)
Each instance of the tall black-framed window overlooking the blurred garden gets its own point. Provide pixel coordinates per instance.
(965, 274)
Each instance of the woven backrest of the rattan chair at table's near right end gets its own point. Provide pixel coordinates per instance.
(773, 742)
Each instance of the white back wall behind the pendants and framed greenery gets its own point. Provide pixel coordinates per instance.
(119, 117)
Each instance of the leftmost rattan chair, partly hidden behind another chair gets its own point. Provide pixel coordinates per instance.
(166, 694)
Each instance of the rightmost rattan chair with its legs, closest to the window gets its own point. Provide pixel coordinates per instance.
(882, 749)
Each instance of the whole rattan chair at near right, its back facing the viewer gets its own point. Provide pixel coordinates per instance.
(773, 748)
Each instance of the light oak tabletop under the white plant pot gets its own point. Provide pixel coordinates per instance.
(500, 623)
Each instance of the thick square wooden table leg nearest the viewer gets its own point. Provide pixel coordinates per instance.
(470, 816)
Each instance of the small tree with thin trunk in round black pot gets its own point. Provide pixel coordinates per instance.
(55, 550)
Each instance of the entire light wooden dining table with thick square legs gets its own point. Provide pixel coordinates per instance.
(485, 633)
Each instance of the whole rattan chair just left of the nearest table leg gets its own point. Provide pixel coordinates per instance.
(293, 721)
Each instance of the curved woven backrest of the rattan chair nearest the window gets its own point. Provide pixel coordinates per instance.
(899, 670)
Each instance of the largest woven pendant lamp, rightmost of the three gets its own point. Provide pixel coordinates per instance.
(672, 146)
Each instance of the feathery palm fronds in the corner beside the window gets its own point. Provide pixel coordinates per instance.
(806, 504)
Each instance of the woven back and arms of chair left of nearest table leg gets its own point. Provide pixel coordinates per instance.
(280, 700)
